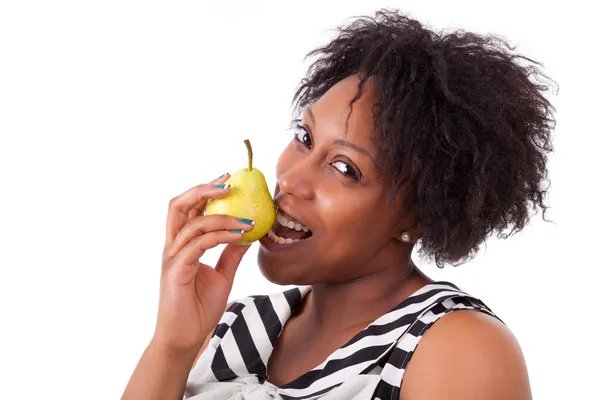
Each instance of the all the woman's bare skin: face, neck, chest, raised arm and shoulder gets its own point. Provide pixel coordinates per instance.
(355, 262)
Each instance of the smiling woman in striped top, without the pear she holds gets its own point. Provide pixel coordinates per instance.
(405, 136)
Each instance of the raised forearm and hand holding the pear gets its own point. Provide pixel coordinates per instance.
(193, 295)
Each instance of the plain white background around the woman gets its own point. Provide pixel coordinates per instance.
(110, 108)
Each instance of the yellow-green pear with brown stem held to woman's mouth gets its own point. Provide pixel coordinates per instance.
(249, 197)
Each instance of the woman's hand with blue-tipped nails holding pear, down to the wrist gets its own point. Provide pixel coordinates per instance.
(193, 295)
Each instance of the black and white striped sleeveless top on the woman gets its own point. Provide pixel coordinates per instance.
(371, 365)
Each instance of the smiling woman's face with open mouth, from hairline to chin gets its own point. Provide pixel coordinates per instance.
(327, 182)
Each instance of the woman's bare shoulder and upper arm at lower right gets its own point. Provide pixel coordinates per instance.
(467, 355)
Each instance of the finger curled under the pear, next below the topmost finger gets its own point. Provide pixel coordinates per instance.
(203, 225)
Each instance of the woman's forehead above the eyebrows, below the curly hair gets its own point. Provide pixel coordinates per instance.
(332, 111)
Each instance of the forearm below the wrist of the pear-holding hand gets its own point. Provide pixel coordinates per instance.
(160, 374)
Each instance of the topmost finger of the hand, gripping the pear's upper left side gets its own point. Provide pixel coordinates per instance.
(192, 201)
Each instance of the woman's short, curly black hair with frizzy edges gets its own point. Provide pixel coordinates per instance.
(459, 114)
